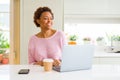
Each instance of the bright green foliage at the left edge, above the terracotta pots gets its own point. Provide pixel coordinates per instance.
(3, 43)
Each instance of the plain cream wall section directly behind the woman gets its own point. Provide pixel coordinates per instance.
(27, 27)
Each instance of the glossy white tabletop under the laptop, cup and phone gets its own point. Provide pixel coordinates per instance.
(98, 72)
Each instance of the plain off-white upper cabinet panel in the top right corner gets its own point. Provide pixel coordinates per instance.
(91, 7)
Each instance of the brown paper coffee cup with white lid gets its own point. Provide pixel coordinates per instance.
(48, 63)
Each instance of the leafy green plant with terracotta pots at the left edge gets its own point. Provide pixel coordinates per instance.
(4, 45)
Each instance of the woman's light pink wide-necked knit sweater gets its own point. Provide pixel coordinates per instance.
(40, 48)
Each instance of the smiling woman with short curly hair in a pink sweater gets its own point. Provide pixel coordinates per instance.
(48, 42)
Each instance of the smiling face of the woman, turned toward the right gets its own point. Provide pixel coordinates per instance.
(46, 20)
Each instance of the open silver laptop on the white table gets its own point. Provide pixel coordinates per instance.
(76, 57)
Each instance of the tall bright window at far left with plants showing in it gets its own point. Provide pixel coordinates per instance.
(4, 31)
